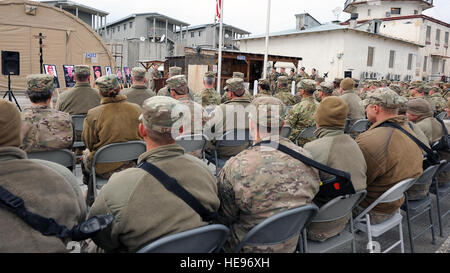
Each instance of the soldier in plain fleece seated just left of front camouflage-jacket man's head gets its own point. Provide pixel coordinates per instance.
(228, 116)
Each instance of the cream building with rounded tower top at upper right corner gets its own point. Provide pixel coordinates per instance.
(405, 20)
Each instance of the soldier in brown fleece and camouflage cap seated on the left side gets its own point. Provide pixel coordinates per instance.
(114, 121)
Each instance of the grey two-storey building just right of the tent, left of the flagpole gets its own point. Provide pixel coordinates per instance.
(144, 36)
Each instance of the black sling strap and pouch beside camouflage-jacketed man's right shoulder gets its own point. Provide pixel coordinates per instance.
(340, 185)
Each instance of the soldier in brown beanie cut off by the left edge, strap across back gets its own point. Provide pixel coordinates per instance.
(45, 191)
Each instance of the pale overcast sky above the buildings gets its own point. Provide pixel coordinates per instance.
(249, 15)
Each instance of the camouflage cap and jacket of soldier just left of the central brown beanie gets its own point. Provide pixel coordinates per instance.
(301, 116)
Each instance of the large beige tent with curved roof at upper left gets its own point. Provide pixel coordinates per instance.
(69, 41)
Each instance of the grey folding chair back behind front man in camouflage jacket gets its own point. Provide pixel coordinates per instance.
(280, 227)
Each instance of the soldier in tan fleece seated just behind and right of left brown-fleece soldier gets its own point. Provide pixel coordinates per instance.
(138, 92)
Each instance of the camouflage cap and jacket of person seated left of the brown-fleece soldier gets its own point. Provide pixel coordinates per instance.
(44, 128)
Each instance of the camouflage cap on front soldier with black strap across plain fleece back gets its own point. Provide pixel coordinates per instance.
(161, 113)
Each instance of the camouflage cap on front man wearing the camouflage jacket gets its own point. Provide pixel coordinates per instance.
(269, 112)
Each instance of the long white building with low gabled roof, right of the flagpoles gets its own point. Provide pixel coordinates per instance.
(336, 50)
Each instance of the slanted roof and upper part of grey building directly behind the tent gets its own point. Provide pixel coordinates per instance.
(93, 17)
